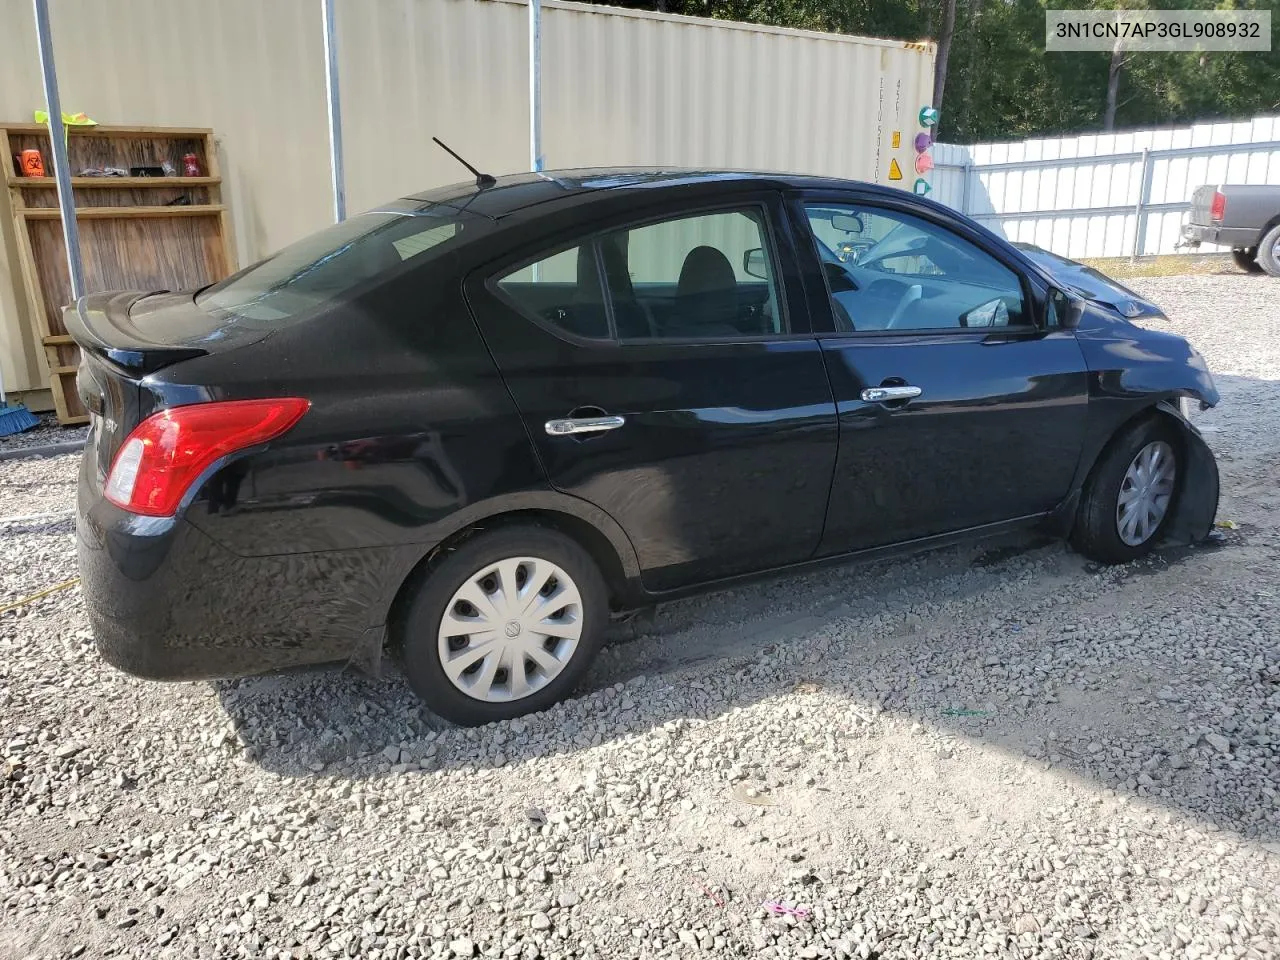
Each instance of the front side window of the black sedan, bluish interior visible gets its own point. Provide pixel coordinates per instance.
(888, 271)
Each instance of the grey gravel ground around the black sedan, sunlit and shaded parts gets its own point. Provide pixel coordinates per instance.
(988, 752)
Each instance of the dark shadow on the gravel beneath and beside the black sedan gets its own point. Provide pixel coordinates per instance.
(1014, 643)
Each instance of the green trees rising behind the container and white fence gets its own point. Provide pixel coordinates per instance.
(1002, 85)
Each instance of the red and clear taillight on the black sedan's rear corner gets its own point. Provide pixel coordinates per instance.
(168, 451)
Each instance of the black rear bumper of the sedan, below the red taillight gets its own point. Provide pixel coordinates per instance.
(166, 602)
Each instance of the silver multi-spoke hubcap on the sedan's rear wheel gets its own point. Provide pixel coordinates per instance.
(511, 629)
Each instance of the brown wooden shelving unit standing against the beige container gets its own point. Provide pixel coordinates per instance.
(136, 232)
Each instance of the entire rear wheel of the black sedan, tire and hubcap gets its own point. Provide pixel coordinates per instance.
(551, 666)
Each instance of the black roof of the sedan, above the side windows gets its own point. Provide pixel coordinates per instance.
(516, 193)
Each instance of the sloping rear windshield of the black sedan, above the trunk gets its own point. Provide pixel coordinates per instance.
(335, 262)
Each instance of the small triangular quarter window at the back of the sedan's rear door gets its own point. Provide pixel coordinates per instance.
(563, 290)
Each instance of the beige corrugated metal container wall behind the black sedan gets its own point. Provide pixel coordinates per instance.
(620, 88)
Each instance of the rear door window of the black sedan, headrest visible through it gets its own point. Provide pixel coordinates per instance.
(702, 277)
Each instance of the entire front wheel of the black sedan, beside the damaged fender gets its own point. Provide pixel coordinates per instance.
(1101, 532)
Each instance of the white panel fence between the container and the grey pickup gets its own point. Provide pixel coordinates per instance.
(1104, 195)
